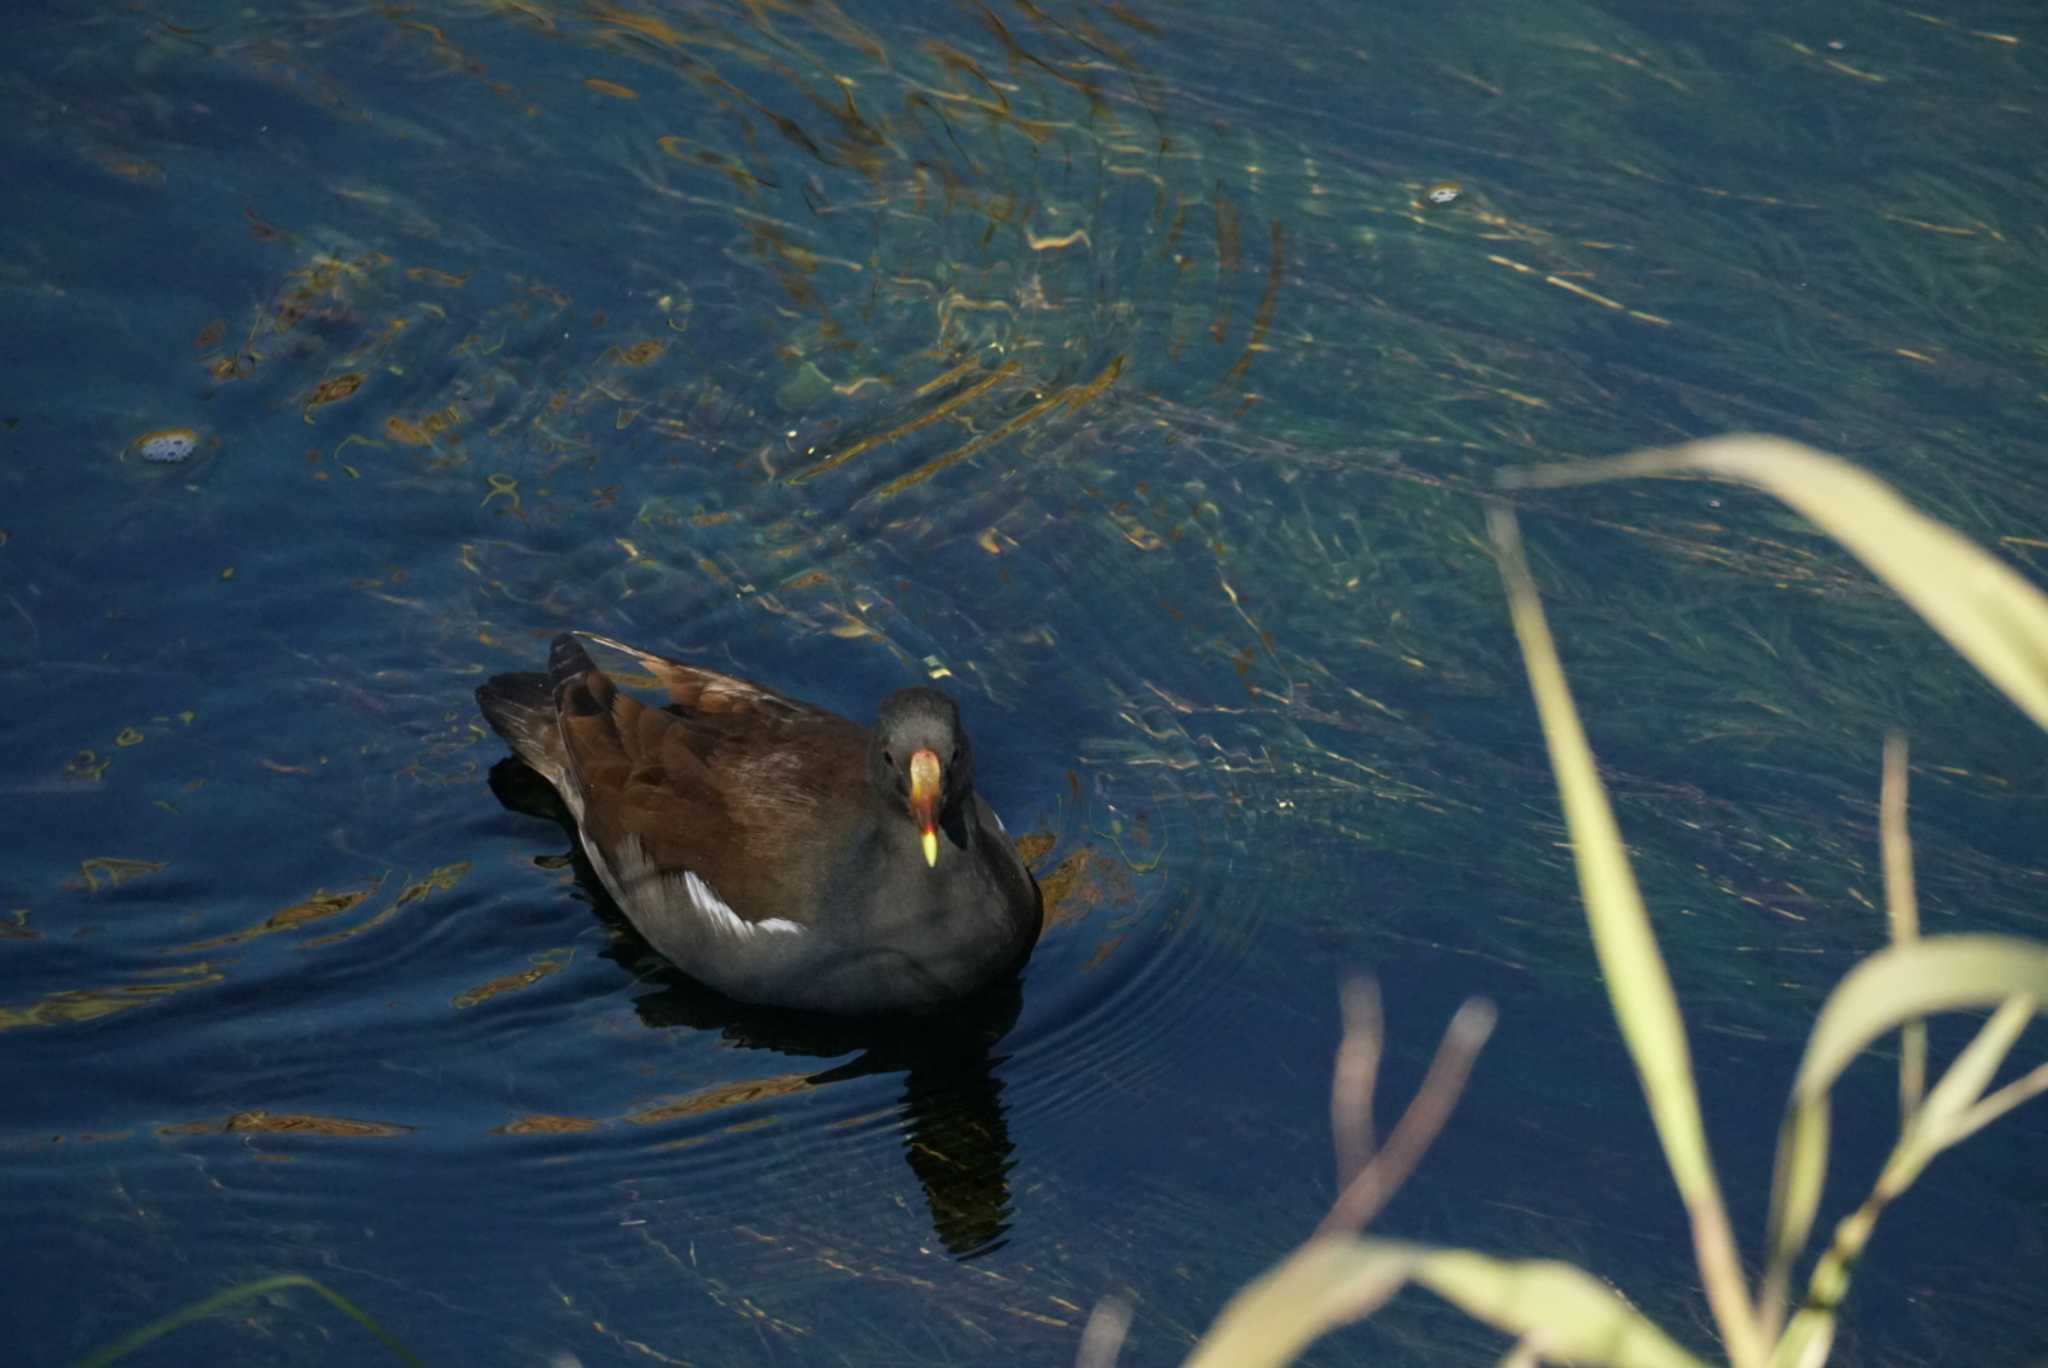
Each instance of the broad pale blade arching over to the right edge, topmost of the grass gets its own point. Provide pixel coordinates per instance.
(1981, 605)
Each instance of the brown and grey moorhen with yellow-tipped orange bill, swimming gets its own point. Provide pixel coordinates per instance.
(771, 849)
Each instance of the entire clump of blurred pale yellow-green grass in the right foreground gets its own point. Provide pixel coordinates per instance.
(1560, 1312)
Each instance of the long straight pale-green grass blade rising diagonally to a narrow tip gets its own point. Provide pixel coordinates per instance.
(1629, 959)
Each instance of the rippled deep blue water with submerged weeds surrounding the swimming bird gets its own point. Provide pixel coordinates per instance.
(1109, 370)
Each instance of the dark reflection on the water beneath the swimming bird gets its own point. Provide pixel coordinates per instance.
(955, 1136)
